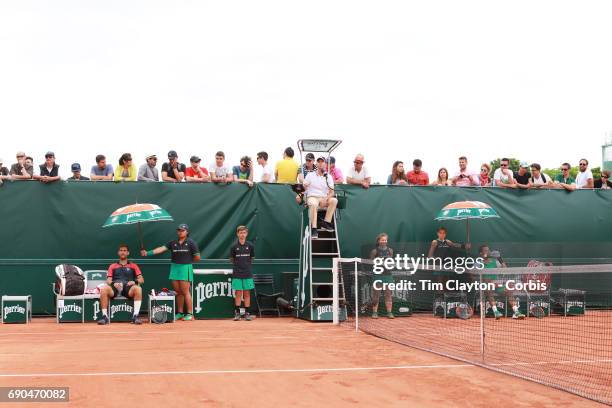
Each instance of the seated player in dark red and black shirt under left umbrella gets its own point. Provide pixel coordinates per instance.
(123, 278)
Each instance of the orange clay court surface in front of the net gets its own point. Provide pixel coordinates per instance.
(221, 363)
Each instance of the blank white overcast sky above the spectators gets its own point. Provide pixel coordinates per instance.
(395, 80)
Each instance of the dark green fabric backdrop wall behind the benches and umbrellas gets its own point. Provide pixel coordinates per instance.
(44, 225)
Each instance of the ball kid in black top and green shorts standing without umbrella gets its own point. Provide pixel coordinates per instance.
(241, 256)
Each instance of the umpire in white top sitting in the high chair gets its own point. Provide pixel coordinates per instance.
(320, 194)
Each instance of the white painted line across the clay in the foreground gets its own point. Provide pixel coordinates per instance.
(262, 371)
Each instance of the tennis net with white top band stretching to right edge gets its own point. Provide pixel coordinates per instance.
(543, 323)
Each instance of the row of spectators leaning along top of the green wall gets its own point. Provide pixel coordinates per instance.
(289, 171)
